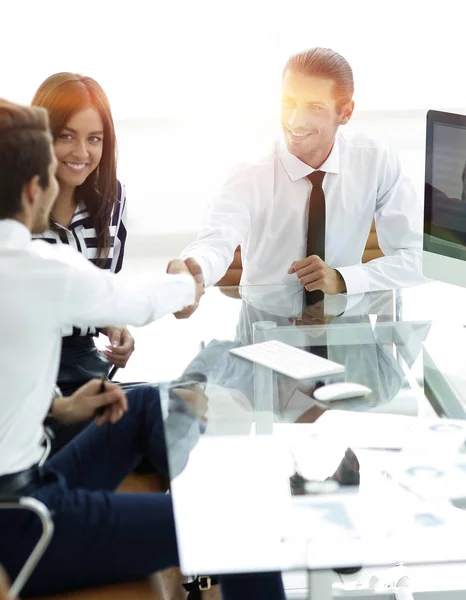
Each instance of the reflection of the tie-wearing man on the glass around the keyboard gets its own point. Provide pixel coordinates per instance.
(374, 348)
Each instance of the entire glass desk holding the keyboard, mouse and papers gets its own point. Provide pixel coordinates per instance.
(231, 466)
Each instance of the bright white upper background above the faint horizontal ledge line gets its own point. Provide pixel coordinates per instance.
(206, 59)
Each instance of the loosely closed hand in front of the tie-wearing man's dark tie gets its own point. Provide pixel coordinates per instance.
(314, 274)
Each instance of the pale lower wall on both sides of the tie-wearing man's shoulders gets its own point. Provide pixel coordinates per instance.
(172, 170)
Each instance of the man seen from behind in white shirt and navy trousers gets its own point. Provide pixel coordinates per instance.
(99, 537)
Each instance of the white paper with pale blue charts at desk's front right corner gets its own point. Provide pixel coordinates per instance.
(351, 529)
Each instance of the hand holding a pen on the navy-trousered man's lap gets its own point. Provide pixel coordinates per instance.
(83, 404)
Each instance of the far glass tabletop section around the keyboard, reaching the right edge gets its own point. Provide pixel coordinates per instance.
(395, 342)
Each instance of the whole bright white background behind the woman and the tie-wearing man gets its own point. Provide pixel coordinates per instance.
(194, 86)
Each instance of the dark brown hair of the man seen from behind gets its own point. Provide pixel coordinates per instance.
(25, 152)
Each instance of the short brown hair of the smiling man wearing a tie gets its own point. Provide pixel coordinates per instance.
(327, 64)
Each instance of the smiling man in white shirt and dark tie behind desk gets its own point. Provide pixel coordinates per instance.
(264, 205)
